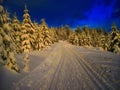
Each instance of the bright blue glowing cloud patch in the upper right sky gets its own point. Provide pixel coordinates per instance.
(100, 14)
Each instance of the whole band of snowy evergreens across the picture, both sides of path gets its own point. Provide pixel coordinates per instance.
(24, 37)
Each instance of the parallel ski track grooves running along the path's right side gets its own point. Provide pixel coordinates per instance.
(94, 76)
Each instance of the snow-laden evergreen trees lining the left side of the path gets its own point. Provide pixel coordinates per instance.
(22, 37)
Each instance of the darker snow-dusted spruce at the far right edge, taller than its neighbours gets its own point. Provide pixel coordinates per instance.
(114, 40)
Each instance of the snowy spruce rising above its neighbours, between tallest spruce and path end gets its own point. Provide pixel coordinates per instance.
(46, 33)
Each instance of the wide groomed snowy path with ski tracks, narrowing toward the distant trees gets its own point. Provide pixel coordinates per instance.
(65, 68)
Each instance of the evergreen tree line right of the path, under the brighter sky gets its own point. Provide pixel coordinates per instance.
(94, 37)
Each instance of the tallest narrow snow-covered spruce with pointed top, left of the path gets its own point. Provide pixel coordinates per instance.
(27, 38)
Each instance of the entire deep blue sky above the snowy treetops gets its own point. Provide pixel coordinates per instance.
(91, 13)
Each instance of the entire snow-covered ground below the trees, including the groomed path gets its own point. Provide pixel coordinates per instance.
(65, 67)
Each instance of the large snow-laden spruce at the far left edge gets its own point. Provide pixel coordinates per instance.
(7, 52)
